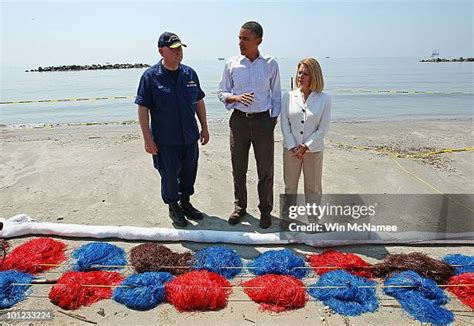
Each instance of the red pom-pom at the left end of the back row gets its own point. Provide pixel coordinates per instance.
(35, 256)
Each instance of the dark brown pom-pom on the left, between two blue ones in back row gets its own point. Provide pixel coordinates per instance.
(153, 257)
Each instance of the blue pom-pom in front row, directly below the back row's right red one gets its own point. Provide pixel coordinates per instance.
(346, 294)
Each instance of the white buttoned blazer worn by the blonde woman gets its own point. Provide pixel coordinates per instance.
(305, 123)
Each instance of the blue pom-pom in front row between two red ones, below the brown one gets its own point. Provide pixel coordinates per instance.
(143, 291)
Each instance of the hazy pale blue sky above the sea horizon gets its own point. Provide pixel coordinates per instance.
(82, 32)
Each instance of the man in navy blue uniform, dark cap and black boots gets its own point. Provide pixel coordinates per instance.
(170, 93)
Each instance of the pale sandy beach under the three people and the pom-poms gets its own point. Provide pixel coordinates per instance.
(101, 174)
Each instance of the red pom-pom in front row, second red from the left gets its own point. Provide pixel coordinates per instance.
(198, 291)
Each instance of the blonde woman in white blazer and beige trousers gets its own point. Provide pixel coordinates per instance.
(305, 118)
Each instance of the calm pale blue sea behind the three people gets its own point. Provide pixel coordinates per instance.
(357, 87)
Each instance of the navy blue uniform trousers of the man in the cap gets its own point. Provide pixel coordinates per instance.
(177, 166)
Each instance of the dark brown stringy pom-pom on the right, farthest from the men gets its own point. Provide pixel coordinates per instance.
(434, 269)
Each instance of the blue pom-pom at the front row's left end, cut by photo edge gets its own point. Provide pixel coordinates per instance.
(11, 294)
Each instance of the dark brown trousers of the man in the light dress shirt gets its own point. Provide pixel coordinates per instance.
(256, 130)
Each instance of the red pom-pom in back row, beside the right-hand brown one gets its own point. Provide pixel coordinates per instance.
(332, 258)
